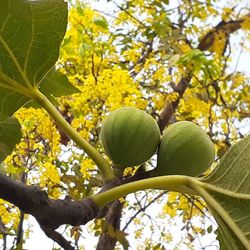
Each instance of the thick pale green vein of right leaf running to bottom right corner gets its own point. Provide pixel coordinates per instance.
(220, 211)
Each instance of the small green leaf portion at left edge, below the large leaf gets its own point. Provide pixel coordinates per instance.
(10, 135)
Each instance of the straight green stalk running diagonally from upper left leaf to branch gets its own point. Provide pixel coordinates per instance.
(101, 163)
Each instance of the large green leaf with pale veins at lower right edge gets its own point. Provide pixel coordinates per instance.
(229, 186)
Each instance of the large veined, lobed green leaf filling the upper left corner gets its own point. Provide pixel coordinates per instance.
(30, 36)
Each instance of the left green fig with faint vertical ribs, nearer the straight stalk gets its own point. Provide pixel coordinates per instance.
(129, 136)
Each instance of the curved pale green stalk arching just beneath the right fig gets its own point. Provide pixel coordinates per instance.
(176, 183)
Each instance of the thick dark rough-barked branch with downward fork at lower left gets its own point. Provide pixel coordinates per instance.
(49, 213)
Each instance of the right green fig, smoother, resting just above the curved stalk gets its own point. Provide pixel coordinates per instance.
(185, 149)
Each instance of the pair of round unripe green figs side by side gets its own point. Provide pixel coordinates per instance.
(130, 137)
